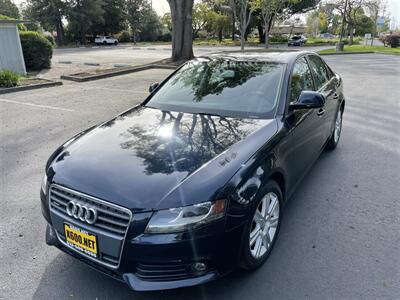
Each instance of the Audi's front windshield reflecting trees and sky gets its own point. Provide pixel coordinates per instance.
(222, 87)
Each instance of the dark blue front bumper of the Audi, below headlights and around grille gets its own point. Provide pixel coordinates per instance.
(162, 261)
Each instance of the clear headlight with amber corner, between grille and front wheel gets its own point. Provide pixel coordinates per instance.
(182, 218)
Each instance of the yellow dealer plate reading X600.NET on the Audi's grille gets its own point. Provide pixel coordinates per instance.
(81, 240)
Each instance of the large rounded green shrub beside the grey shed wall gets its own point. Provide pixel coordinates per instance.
(37, 50)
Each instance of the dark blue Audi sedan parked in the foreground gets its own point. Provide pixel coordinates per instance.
(191, 184)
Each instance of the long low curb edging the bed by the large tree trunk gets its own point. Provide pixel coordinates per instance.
(116, 72)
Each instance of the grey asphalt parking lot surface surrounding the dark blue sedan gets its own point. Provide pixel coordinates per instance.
(340, 236)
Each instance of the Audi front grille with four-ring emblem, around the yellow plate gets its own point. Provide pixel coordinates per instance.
(110, 224)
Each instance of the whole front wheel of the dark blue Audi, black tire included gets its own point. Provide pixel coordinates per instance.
(252, 256)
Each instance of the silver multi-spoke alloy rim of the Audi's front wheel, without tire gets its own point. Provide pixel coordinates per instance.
(264, 225)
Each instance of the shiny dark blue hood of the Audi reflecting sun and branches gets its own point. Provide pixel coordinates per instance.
(138, 158)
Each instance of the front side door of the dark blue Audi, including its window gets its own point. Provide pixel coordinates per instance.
(306, 125)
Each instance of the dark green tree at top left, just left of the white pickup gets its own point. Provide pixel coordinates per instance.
(83, 14)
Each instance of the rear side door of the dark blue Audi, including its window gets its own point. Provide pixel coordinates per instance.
(326, 83)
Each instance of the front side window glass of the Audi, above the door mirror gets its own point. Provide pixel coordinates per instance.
(301, 79)
